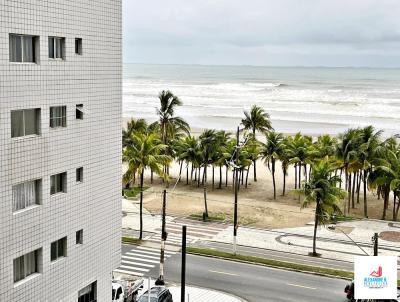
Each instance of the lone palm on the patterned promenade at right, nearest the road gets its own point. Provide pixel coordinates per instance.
(322, 190)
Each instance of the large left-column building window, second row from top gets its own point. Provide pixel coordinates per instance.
(25, 122)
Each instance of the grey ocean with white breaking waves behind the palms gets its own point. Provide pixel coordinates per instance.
(310, 100)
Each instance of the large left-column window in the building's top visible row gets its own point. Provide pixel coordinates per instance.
(23, 48)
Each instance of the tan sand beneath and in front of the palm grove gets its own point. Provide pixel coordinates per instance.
(256, 204)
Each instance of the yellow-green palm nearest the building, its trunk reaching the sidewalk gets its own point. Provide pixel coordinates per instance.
(145, 151)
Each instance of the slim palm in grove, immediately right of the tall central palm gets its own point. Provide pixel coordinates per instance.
(270, 152)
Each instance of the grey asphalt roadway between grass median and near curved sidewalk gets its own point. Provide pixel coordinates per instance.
(251, 282)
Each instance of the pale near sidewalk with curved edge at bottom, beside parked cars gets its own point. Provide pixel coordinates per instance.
(195, 294)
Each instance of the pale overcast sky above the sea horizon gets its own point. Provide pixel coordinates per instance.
(333, 33)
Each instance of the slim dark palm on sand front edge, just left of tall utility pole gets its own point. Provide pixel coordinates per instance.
(208, 141)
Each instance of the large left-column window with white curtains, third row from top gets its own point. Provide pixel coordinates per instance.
(26, 194)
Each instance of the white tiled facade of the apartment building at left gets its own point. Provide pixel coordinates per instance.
(94, 143)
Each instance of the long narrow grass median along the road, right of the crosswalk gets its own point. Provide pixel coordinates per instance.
(273, 263)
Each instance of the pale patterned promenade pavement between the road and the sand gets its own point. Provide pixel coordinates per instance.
(332, 244)
